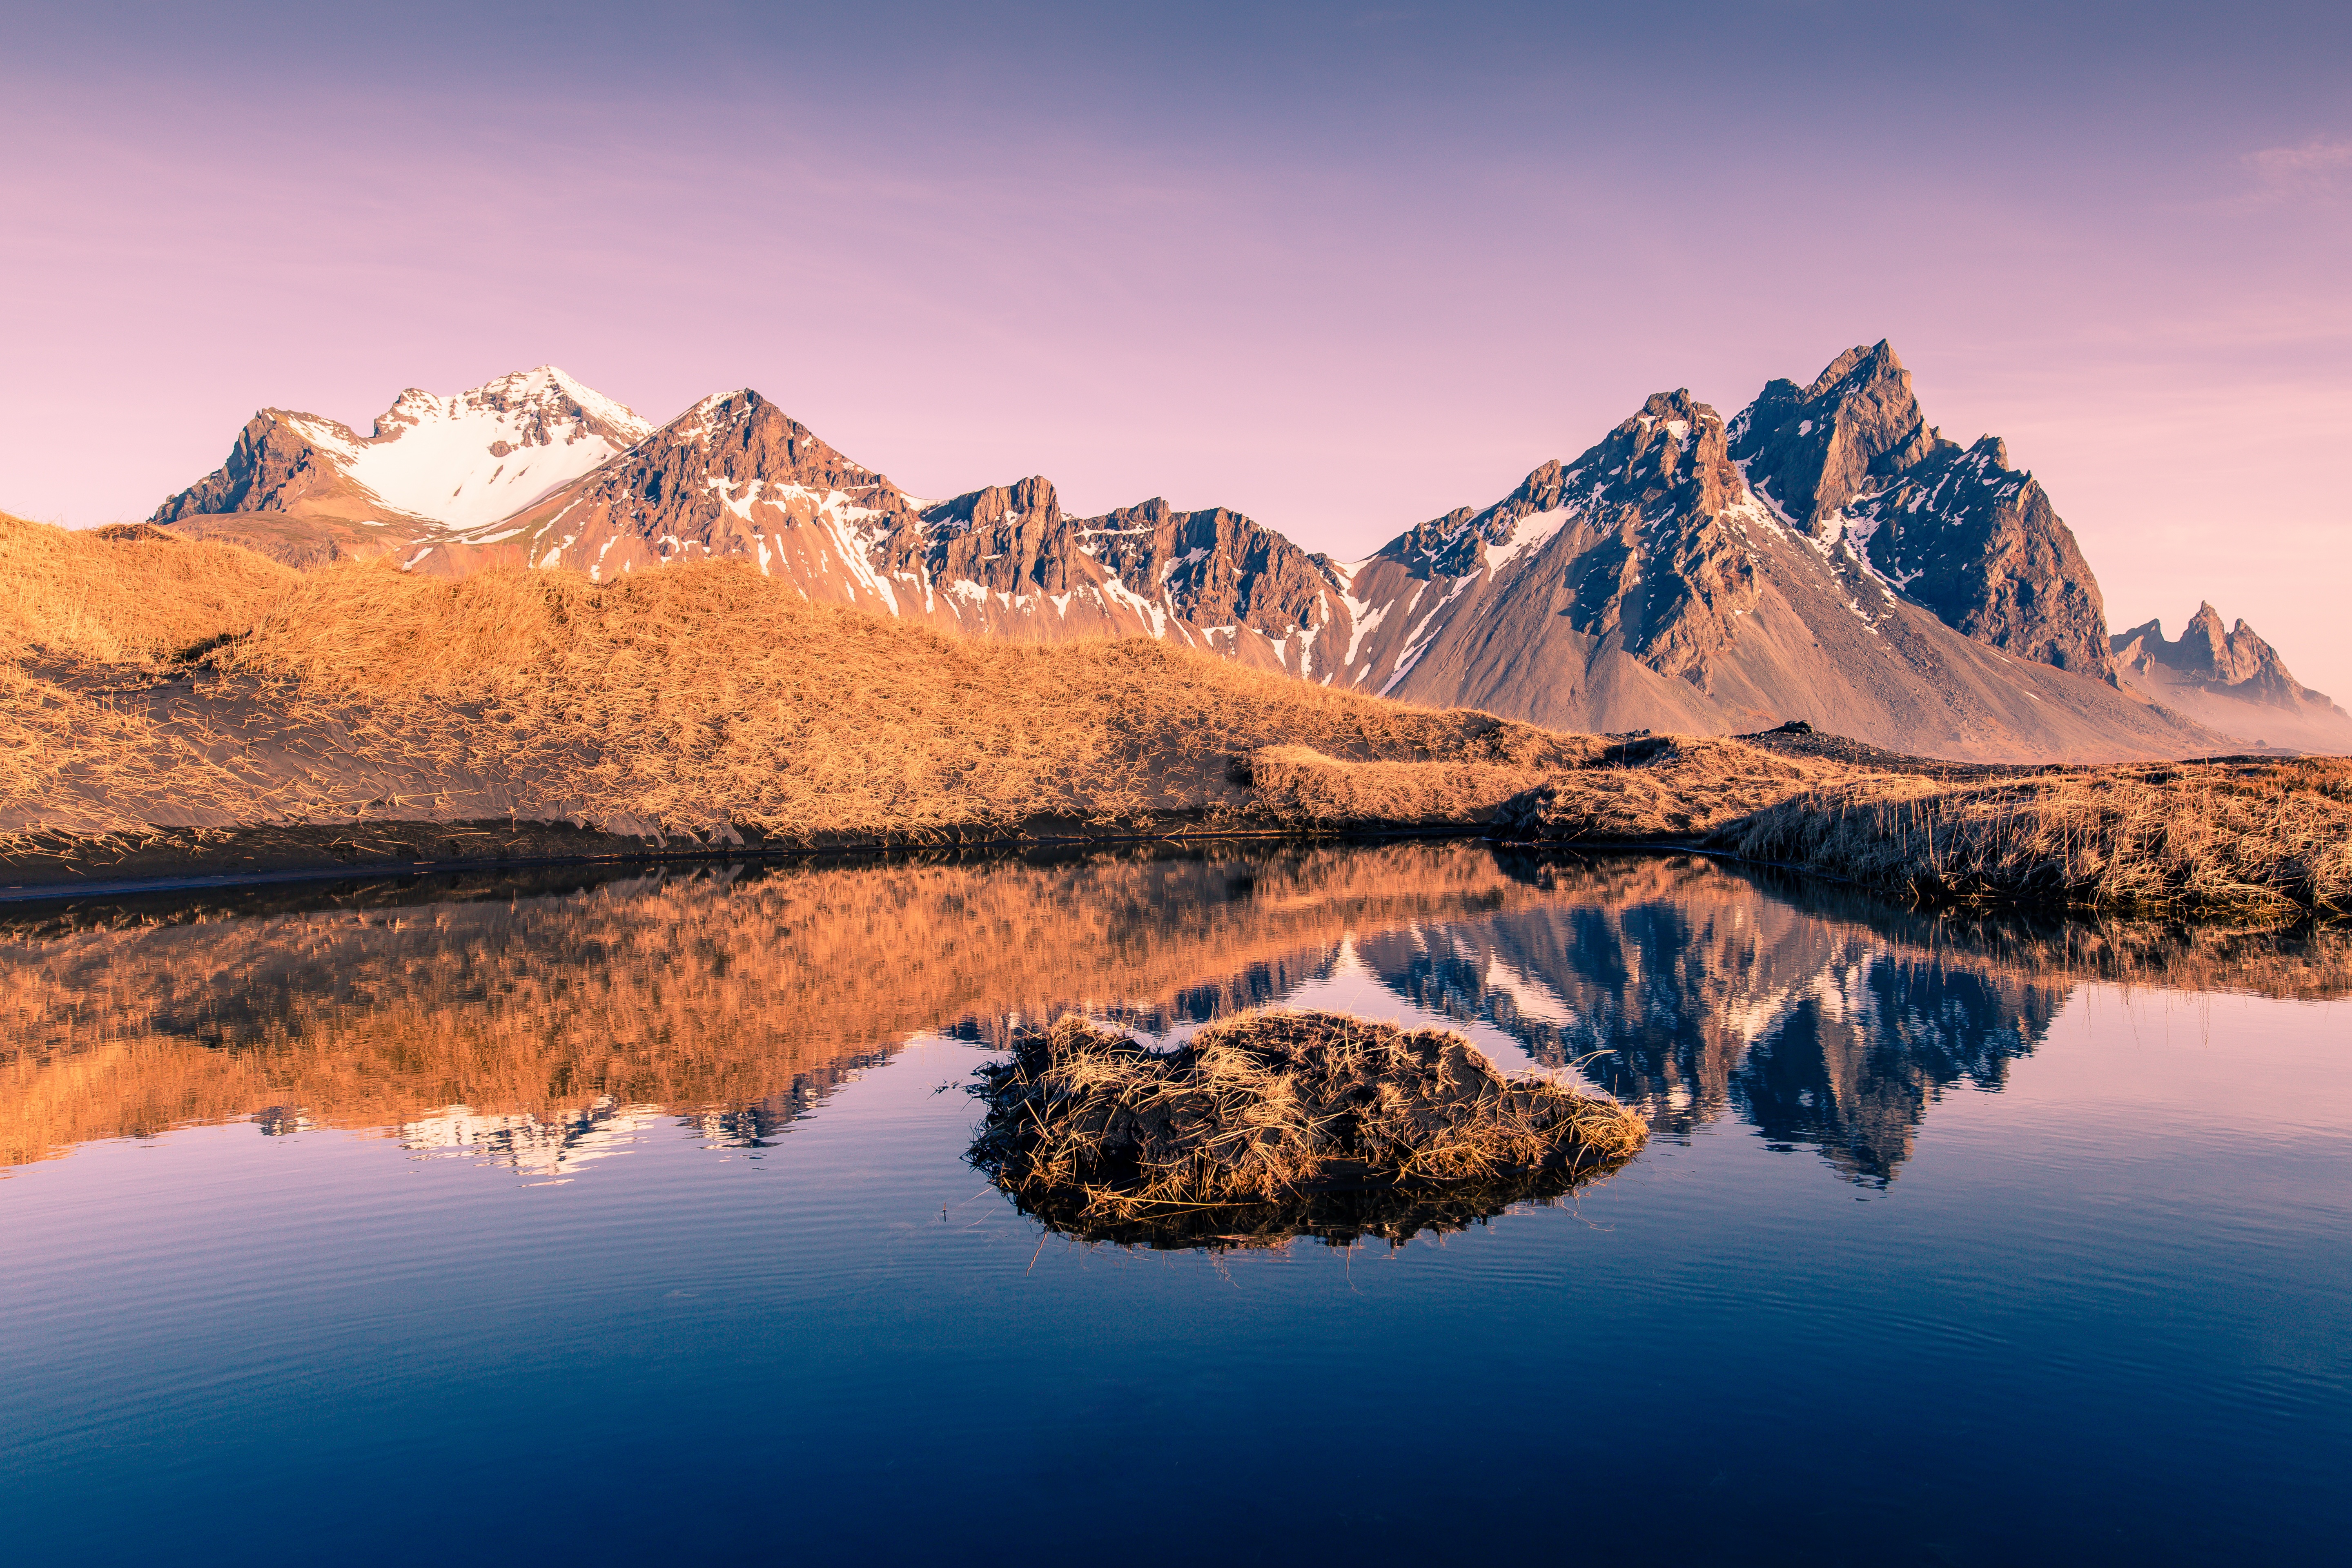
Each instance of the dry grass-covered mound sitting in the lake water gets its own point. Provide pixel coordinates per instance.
(1278, 1125)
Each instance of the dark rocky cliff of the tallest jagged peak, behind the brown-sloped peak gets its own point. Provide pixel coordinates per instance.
(1953, 530)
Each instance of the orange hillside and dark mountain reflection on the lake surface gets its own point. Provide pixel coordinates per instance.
(540, 1021)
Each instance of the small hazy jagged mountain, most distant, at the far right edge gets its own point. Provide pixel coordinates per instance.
(2233, 683)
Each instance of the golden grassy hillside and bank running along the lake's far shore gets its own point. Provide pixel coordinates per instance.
(168, 685)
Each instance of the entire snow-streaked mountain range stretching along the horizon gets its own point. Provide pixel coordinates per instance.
(1822, 556)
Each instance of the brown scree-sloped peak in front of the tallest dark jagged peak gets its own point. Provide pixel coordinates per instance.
(1648, 587)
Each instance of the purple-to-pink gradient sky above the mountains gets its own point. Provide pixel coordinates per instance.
(1337, 267)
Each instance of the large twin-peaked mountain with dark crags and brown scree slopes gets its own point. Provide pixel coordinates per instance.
(1819, 556)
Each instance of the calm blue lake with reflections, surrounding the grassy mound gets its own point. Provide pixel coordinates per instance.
(627, 1217)
